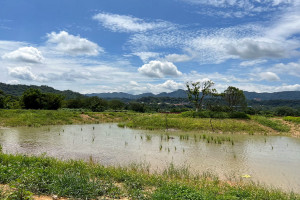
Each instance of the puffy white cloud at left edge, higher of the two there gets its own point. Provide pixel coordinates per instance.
(25, 54)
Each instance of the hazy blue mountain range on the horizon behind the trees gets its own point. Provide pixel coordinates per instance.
(289, 95)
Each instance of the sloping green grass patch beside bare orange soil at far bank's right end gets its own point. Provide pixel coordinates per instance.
(273, 124)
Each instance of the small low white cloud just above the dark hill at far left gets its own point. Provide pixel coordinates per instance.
(24, 73)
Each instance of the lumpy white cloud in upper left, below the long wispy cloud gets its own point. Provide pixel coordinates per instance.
(73, 45)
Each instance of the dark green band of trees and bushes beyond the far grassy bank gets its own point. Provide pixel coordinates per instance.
(201, 96)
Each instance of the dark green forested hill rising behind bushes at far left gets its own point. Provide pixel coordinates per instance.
(18, 90)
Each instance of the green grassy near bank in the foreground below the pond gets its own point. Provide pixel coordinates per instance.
(80, 180)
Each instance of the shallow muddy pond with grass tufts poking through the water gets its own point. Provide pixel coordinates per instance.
(270, 160)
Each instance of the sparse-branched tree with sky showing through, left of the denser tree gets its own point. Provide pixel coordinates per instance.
(198, 90)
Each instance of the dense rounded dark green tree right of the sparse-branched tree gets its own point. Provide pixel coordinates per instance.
(234, 97)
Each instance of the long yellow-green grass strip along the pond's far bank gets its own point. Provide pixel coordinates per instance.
(36, 118)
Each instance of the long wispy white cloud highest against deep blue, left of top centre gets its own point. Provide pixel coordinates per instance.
(124, 23)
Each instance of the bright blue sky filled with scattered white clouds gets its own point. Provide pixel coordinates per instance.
(138, 46)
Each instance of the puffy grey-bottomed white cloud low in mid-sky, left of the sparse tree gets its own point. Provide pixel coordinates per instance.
(159, 69)
